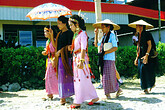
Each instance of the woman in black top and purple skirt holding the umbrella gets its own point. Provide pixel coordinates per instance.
(63, 60)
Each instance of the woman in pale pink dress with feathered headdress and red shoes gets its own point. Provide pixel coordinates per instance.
(84, 90)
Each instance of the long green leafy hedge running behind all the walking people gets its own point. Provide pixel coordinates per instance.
(28, 64)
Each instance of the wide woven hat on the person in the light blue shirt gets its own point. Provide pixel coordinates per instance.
(106, 21)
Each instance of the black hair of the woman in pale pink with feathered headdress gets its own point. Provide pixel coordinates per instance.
(80, 20)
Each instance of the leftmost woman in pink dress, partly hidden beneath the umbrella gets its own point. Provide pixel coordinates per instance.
(51, 82)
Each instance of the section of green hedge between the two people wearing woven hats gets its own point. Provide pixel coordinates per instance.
(125, 61)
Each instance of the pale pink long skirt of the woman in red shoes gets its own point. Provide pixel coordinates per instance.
(84, 89)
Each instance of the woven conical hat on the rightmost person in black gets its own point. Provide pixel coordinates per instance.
(140, 22)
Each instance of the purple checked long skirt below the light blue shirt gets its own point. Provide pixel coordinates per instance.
(109, 80)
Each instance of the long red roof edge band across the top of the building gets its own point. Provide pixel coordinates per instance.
(89, 7)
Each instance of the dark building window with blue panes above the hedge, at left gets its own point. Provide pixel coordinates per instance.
(28, 35)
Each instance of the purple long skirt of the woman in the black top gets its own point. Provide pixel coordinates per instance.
(65, 81)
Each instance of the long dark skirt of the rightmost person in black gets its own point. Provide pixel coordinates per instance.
(147, 74)
